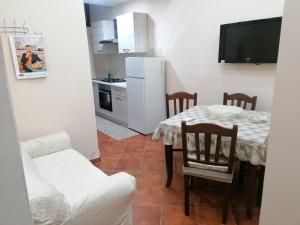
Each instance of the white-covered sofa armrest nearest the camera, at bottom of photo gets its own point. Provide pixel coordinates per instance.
(108, 201)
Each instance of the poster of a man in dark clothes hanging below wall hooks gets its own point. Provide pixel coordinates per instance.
(28, 56)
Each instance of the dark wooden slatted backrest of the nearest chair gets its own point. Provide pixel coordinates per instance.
(206, 156)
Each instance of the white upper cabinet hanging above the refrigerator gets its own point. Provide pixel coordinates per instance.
(133, 33)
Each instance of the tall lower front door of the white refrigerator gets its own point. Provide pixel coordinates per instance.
(136, 104)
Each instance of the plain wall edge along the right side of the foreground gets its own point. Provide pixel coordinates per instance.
(281, 198)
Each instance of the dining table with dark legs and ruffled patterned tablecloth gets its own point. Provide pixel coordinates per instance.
(251, 144)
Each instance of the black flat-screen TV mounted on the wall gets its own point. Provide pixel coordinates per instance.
(254, 41)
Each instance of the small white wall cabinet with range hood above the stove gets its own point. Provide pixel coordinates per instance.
(106, 30)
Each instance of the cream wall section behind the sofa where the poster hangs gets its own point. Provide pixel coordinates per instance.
(63, 101)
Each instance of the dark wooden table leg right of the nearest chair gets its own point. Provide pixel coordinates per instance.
(251, 184)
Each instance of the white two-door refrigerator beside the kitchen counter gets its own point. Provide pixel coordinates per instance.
(145, 78)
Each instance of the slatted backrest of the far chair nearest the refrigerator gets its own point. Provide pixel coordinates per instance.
(180, 97)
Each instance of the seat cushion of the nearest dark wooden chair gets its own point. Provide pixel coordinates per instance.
(208, 174)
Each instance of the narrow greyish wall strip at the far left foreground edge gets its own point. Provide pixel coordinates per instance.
(14, 206)
